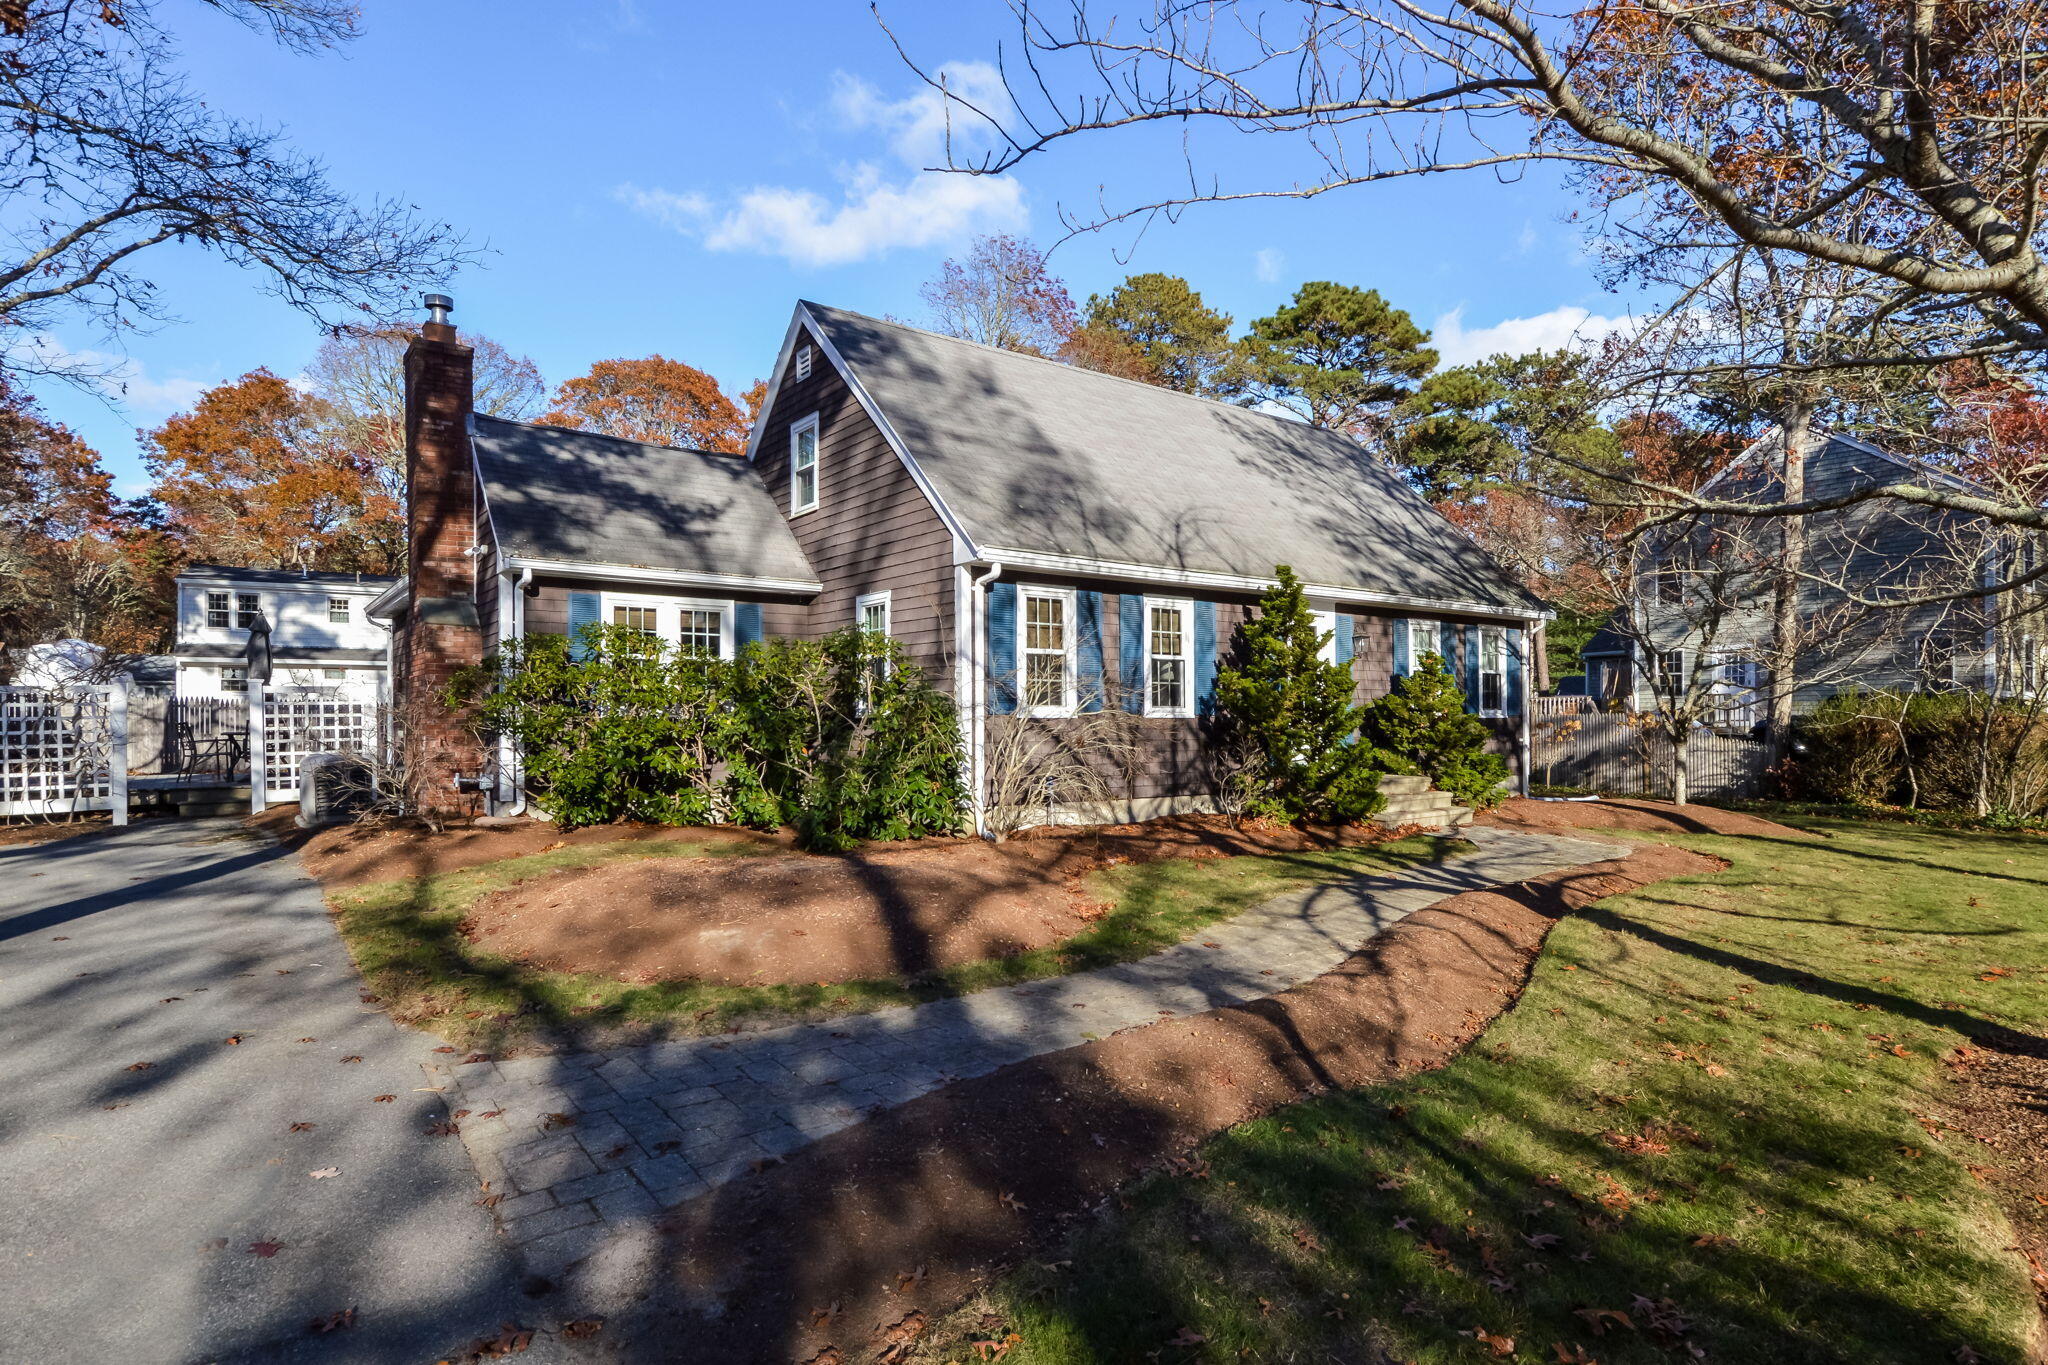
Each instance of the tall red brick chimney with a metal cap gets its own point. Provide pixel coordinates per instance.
(441, 631)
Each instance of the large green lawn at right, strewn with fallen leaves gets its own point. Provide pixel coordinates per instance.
(1697, 1131)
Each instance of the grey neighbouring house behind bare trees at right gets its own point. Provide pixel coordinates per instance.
(1711, 592)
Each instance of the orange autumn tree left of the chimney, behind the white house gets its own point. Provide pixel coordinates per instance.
(259, 476)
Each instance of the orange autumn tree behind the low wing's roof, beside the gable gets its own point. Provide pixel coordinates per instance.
(656, 400)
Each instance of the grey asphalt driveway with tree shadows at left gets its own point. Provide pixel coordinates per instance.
(144, 1153)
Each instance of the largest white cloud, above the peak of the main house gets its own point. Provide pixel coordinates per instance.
(873, 210)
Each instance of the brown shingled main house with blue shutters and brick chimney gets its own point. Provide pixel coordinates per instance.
(1041, 539)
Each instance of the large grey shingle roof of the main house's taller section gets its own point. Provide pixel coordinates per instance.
(1039, 457)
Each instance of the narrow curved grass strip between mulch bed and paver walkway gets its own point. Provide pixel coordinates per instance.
(409, 946)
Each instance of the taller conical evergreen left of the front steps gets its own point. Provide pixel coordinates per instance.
(1295, 715)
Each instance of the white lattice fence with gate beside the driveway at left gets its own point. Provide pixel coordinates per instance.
(69, 750)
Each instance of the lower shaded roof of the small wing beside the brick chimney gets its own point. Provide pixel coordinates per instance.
(601, 500)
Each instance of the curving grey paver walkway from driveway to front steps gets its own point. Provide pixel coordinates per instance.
(667, 1122)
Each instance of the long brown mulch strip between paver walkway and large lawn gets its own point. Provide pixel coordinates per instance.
(849, 1251)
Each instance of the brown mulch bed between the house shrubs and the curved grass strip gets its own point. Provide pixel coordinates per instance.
(888, 912)
